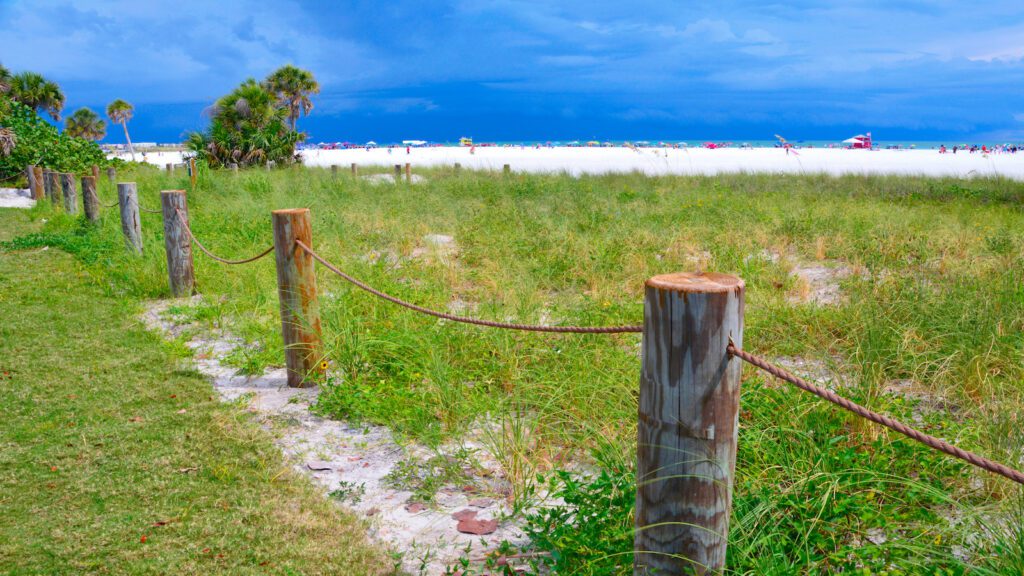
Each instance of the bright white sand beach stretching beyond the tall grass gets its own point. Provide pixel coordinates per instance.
(673, 161)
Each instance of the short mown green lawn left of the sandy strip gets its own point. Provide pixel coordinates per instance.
(117, 459)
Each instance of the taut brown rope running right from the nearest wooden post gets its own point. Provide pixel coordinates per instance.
(929, 441)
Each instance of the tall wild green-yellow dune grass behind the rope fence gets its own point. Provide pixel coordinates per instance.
(937, 298)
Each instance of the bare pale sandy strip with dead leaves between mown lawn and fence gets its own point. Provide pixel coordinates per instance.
(356, 461)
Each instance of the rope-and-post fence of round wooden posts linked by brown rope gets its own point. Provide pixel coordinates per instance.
(690, 385)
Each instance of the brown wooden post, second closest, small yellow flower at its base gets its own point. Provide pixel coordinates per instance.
(297, 292)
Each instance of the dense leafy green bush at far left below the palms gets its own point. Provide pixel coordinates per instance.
(39, 143)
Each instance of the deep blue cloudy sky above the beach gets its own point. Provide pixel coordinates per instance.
(525, 70)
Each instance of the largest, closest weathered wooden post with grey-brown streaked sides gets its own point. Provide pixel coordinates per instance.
(687, 436)
